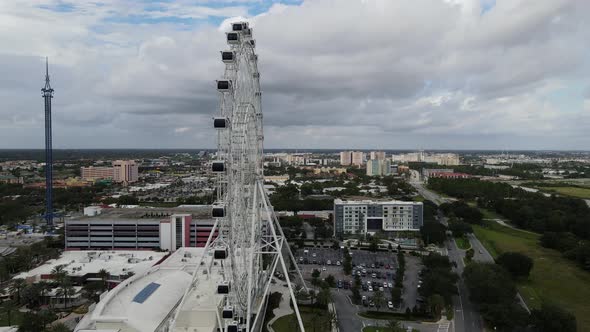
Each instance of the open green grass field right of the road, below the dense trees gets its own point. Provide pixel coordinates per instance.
(553, 278)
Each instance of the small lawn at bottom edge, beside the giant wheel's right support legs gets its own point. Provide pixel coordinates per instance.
(310, 316)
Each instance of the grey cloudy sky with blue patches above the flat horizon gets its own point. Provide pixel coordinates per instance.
(464, 74)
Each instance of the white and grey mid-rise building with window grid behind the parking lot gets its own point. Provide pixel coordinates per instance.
(370, 216)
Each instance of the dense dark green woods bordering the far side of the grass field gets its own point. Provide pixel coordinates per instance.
(563, 222)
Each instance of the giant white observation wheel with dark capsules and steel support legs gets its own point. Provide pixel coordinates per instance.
(249, 242)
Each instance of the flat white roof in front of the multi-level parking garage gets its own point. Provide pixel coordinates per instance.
(80, 263)
